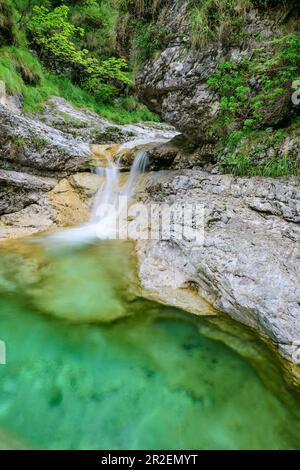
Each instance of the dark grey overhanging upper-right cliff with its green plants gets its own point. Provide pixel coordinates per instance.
(229, 82)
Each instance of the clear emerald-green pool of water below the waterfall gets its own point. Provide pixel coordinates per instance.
(150, 379)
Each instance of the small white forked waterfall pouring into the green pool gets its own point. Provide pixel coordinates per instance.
(108, 205)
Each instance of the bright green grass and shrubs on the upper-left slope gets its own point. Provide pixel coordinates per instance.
(45, 52)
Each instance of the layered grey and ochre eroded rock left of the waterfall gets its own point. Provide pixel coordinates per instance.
(47, 164)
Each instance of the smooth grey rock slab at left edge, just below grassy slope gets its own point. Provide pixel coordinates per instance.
(28, 144)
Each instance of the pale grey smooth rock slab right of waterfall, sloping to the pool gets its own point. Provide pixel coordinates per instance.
(248, 264)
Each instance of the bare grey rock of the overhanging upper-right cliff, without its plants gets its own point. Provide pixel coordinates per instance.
(174, 83)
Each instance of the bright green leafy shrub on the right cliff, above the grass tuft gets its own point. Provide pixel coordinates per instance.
(249, 88)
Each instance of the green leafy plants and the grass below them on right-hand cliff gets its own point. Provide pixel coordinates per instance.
(253, 92)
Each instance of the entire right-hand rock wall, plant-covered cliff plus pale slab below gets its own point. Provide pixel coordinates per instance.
(248, 265)
